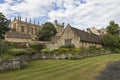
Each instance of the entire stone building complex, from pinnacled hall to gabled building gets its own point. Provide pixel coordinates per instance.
(23, 31)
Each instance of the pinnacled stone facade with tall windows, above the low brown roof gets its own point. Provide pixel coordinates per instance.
(24, 27)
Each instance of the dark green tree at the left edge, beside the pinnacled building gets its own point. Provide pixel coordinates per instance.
(3, 25)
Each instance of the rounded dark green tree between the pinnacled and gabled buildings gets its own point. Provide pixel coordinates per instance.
(48, 30)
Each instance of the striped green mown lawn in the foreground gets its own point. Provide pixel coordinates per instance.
(84, 69)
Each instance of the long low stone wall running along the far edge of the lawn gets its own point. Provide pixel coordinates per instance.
(17, 62)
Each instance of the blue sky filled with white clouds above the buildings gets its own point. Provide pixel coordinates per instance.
(81, 14)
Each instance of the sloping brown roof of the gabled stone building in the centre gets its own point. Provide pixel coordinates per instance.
(87, 37)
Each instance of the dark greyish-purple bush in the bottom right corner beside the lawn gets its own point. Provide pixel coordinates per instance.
(112, 72)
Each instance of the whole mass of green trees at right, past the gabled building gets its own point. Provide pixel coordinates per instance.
(112, 38)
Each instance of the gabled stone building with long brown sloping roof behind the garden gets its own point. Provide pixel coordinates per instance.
(78, 38)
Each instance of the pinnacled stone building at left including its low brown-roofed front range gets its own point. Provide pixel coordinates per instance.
(22, 31)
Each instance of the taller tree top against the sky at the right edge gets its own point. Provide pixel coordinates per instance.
(113, 28)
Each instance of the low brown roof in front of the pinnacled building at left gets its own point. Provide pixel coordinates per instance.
(17, 35)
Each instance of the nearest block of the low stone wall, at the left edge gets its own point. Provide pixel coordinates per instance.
(10, 64)
